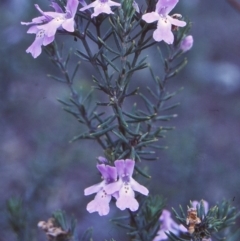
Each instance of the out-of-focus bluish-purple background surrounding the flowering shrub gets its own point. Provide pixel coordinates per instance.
(38, 164)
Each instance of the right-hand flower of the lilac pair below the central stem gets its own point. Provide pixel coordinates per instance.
(126, 186)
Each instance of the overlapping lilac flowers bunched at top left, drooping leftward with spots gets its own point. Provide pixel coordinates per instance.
(45, 26)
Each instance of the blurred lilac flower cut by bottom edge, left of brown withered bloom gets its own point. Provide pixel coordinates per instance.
(167, 224)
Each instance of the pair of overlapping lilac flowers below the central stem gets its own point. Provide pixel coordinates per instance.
(117, 182)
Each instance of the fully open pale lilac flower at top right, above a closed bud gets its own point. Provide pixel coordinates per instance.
(165, 22)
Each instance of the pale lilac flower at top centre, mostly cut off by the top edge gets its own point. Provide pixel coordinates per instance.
(100, 6)
